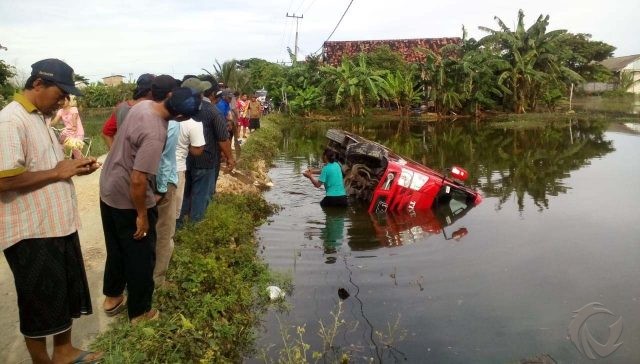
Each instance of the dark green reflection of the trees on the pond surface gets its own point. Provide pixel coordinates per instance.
(504, 159)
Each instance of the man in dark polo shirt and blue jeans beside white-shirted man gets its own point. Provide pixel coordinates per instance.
(202, 171)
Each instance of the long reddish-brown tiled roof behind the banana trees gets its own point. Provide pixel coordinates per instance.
(410, 49)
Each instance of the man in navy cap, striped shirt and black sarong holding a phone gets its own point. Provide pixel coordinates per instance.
(39, 216)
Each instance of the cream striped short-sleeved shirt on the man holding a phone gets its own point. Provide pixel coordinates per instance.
(28, 144)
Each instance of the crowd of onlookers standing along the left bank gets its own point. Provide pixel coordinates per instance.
(167, 146)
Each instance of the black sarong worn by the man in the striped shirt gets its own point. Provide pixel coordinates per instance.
(51, 284)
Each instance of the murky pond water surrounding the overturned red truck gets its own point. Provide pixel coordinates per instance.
(557, 230)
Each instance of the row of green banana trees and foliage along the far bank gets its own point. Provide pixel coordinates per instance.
(515, 70)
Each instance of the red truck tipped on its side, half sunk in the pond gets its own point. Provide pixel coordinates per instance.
(389, 182)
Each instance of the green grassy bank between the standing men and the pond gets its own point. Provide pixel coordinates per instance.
(219, 292)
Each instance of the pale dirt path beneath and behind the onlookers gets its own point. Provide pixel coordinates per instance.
(85, 329)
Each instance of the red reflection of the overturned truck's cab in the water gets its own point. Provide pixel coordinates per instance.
(398, 228)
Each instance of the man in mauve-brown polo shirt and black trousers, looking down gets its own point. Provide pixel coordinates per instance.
(128, 197)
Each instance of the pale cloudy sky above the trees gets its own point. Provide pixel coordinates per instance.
(102, 38)
